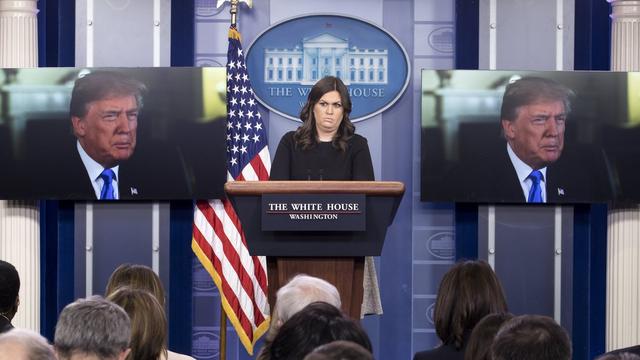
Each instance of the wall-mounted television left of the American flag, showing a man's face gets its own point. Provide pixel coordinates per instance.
(112, 134)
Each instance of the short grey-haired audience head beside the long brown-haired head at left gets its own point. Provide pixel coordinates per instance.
(92, 328)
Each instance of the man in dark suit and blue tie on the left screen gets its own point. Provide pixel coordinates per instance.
(105, 162)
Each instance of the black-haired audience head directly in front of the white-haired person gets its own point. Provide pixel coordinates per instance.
(317, 324)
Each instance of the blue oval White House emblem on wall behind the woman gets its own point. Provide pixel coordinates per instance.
(288, 58)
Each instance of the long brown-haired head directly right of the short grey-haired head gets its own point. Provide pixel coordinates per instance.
(148, 322)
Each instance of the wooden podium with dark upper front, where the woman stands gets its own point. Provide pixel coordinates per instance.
(336, 256)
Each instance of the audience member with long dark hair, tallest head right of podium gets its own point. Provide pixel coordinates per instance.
(468, 292)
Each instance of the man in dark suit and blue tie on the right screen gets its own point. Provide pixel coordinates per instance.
(535, 166)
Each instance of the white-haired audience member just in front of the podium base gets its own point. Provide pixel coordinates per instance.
(294, 296)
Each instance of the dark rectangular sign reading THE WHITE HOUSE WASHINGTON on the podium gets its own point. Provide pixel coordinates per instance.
(313, 212)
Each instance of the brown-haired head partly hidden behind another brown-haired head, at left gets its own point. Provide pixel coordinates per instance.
(137, 277)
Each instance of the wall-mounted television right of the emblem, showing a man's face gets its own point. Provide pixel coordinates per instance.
(487, 134)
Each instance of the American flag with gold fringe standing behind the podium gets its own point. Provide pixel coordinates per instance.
(218, 239)
